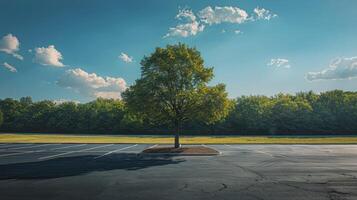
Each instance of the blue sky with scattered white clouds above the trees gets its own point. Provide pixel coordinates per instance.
(80, 50)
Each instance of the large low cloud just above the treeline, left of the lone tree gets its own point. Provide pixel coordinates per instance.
(92, 85)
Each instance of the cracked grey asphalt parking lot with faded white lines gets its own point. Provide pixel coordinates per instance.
(117, 171)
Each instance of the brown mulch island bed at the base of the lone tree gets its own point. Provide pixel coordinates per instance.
(199, 150)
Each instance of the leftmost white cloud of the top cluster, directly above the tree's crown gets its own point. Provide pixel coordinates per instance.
(189, 28)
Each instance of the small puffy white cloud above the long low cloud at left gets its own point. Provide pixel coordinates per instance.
(49, 56)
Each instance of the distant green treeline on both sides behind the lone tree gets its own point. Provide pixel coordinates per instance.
(328, 111)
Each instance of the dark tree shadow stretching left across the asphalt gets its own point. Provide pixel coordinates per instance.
(73, 166)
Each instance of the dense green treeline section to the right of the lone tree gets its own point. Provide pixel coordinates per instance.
(333, 110)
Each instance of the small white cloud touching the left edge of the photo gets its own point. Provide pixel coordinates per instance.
(10, 45)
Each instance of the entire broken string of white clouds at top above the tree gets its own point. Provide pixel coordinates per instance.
(191, 23)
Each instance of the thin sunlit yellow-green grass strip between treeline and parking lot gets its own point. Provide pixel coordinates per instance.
(59, 138)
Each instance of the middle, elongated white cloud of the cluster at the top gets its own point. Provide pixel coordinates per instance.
(218, 15)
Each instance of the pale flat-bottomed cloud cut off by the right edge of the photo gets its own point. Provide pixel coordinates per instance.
(339, 69)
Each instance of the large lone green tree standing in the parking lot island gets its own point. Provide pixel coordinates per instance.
(173, 89)
